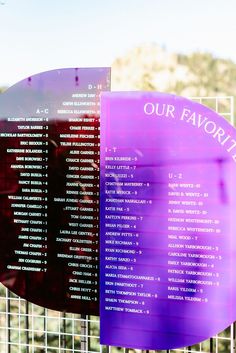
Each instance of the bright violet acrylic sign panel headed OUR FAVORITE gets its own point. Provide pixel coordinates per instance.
(168, 200)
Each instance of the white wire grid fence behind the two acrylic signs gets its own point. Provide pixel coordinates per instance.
(28, 328)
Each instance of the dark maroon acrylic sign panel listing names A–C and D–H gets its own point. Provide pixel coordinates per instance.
(49, 188)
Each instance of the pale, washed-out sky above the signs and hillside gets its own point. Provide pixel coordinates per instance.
(40, 35)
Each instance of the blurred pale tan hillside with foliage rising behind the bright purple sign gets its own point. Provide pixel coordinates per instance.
(150, 67)
